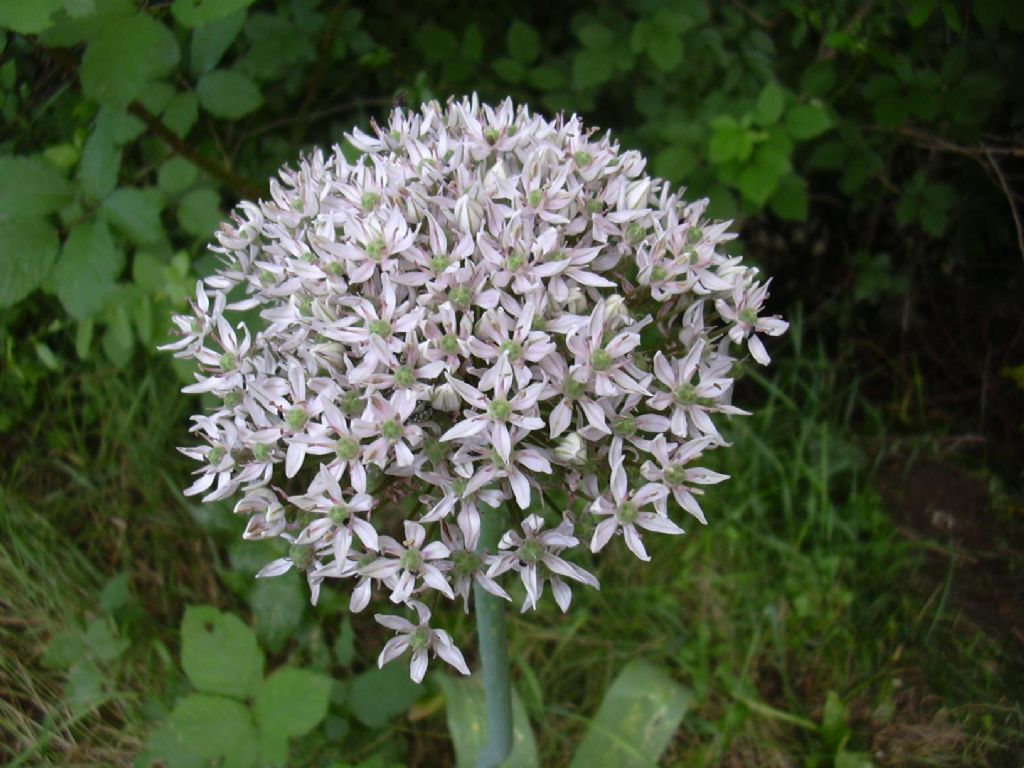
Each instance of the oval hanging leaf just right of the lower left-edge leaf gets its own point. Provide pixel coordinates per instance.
(89, 269)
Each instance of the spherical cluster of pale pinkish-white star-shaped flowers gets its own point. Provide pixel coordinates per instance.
(462, 319)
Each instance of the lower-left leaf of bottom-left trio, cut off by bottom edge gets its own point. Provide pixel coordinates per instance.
(217, 729)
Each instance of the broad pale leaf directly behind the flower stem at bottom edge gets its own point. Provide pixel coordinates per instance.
(466, 708)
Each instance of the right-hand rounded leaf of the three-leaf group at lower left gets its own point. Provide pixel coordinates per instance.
(292, 703)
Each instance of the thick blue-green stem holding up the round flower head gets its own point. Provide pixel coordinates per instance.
(494, 653)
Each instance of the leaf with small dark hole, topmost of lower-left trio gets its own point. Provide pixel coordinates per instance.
(220, 654)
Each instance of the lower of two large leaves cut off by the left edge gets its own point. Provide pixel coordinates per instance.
(28, 250)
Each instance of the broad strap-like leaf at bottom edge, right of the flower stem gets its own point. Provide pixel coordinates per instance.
(636, 720)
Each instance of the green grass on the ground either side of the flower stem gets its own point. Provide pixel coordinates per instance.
(801, 585)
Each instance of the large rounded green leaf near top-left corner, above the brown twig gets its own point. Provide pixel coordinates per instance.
(124, 56)
